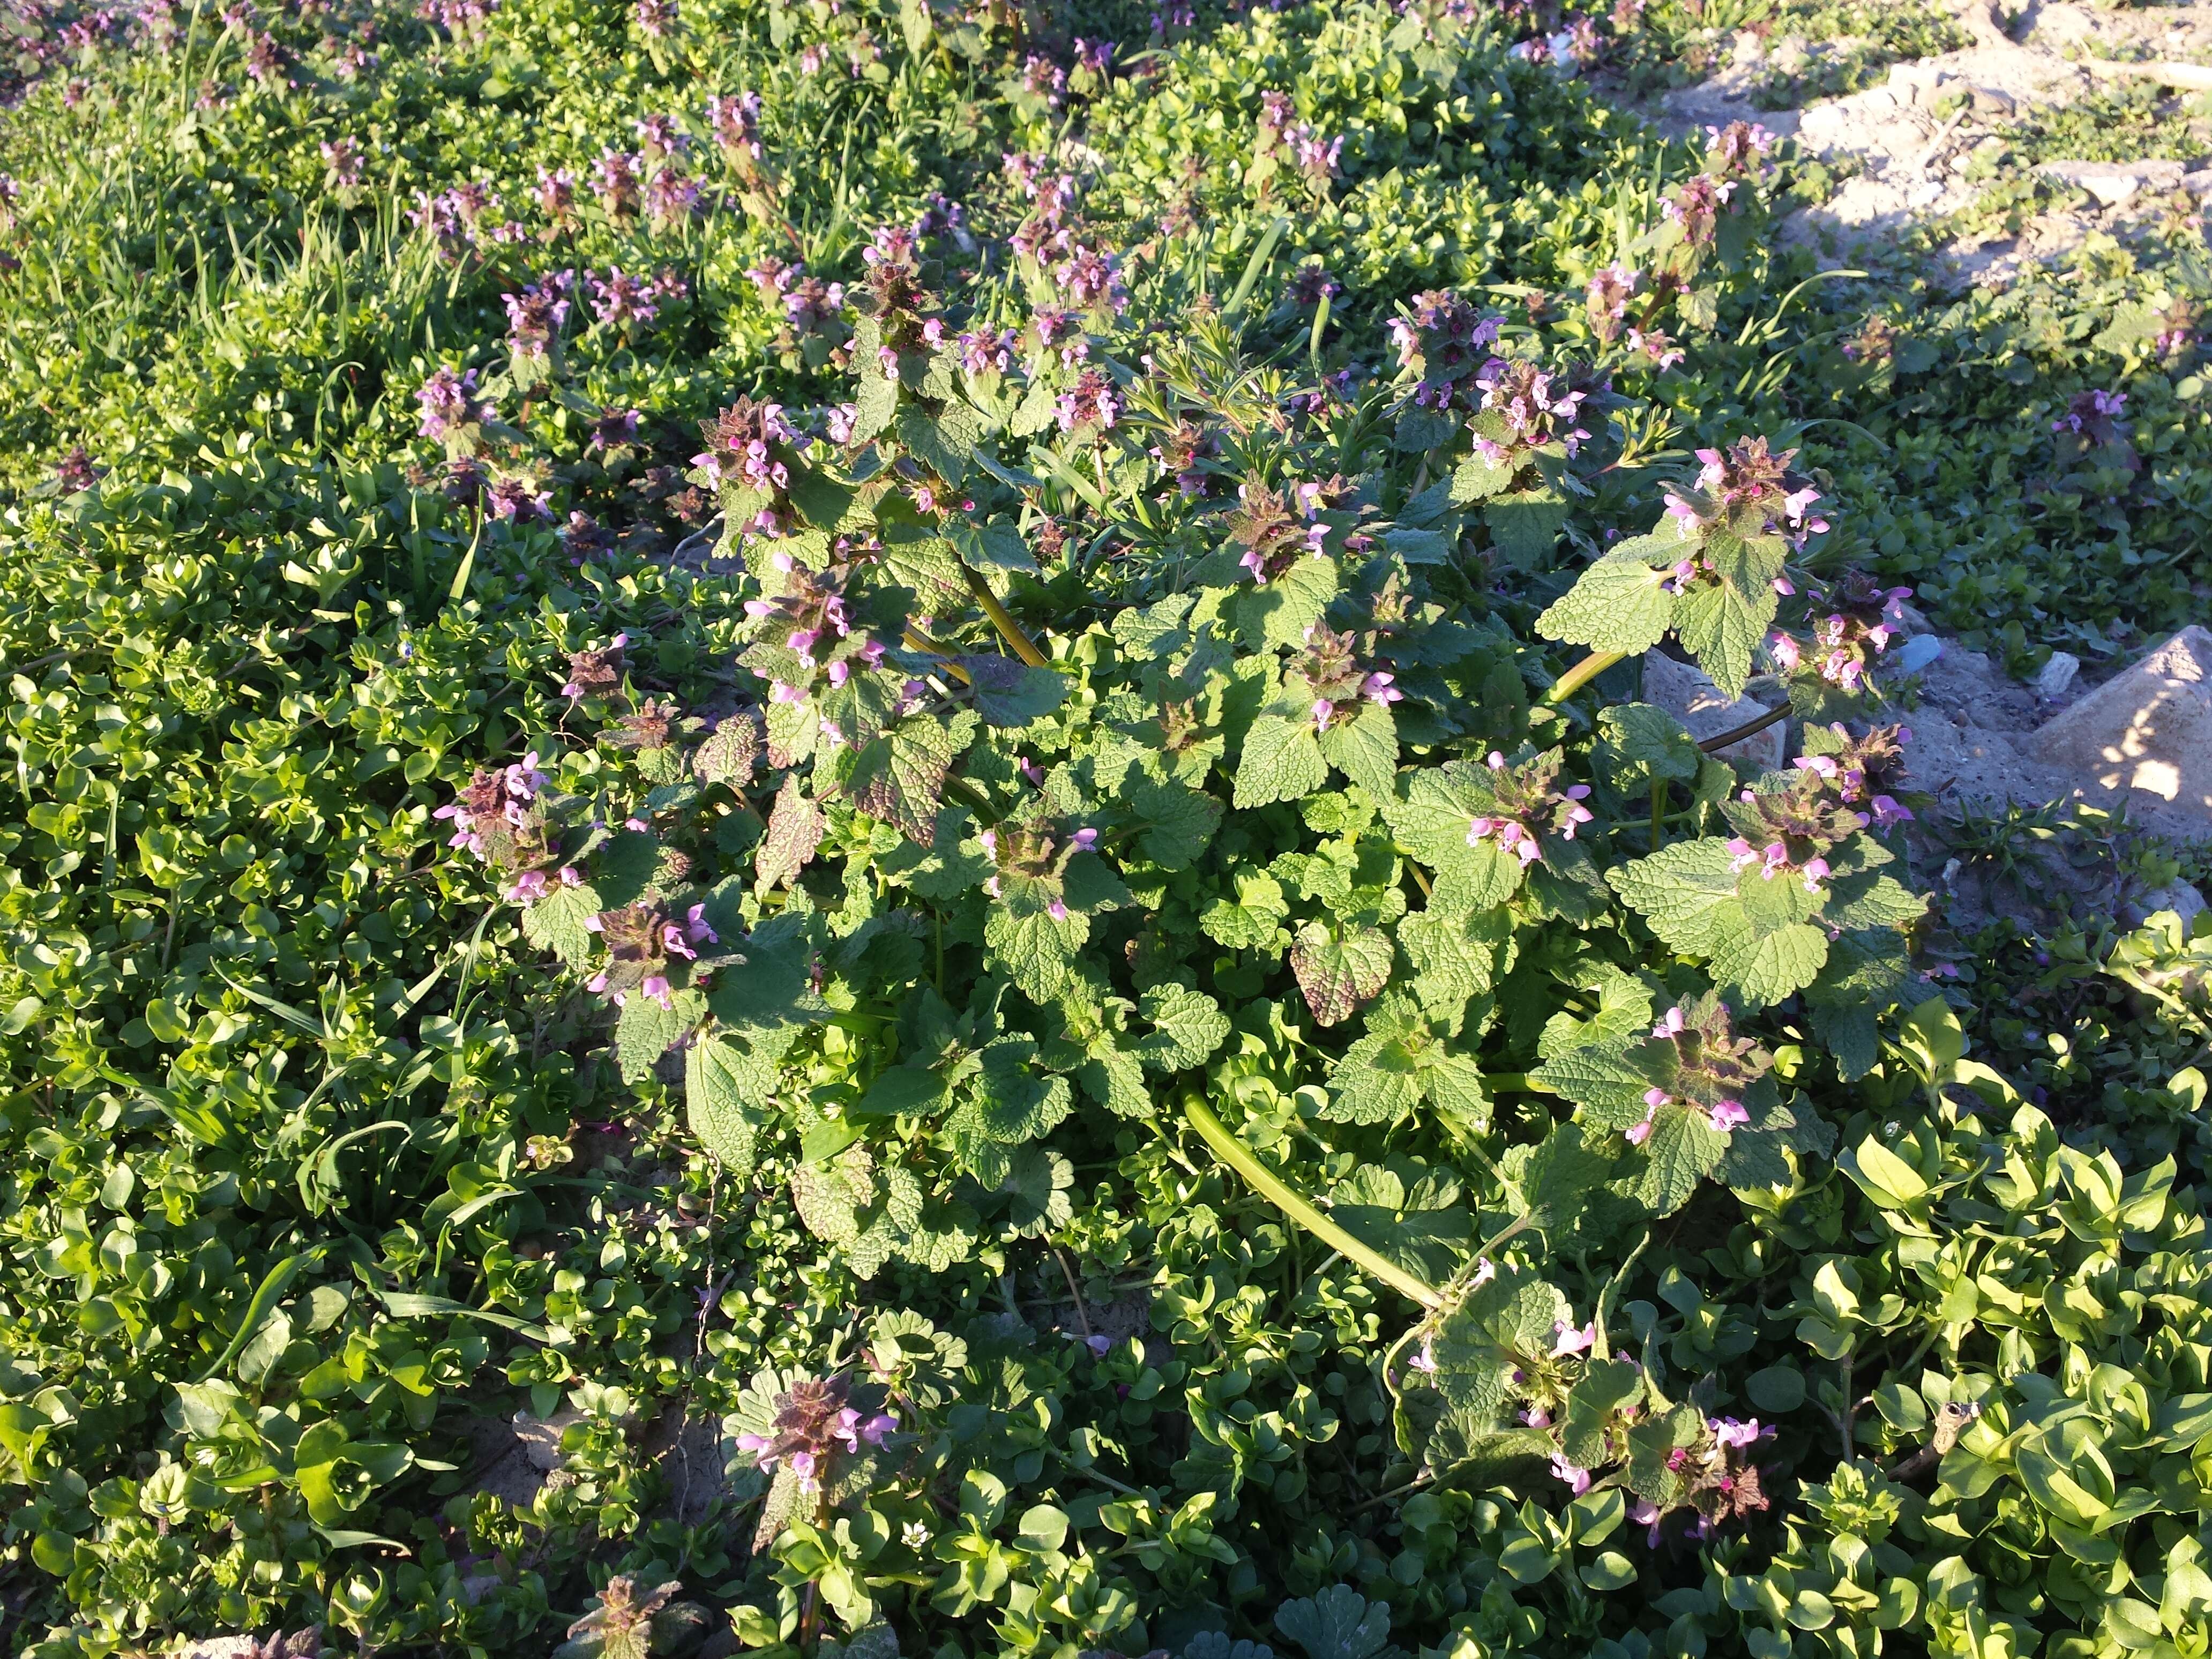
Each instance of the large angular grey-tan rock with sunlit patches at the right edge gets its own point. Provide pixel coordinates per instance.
(2145, 731)
